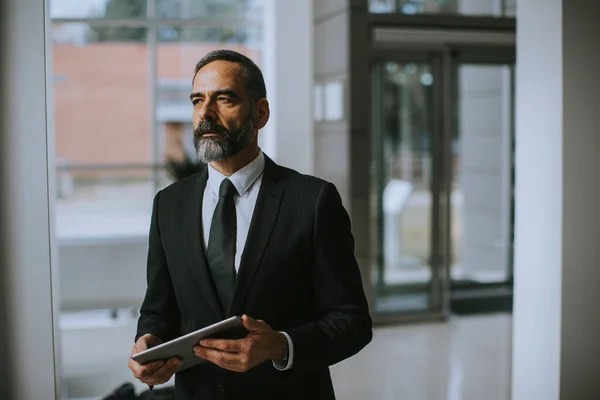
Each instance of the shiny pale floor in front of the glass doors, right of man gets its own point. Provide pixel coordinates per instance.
(466, 358)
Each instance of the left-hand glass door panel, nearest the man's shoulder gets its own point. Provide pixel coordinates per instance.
(407, 187)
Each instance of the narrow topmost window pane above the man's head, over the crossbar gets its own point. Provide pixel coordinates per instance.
(216, 10)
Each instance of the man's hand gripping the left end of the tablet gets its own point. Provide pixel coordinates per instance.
(156, 372)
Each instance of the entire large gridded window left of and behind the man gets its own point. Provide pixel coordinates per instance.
(122, 77)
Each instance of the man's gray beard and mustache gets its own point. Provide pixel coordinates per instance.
(225, 144)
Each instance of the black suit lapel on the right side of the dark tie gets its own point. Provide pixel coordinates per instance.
(261, 226)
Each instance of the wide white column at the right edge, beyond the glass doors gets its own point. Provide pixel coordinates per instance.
(556, 351)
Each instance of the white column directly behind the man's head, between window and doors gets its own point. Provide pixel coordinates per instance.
(288, 68)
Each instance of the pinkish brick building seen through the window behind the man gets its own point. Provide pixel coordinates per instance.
(104, 106)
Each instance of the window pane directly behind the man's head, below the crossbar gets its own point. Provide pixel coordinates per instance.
(177, 53)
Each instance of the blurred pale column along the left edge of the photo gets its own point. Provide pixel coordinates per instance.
(26, 333)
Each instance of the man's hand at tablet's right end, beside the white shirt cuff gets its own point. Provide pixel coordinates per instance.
(261, 344)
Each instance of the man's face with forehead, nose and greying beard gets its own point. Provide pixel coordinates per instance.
(223, 119)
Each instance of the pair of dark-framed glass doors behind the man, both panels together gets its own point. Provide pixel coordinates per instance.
(443, 130)
